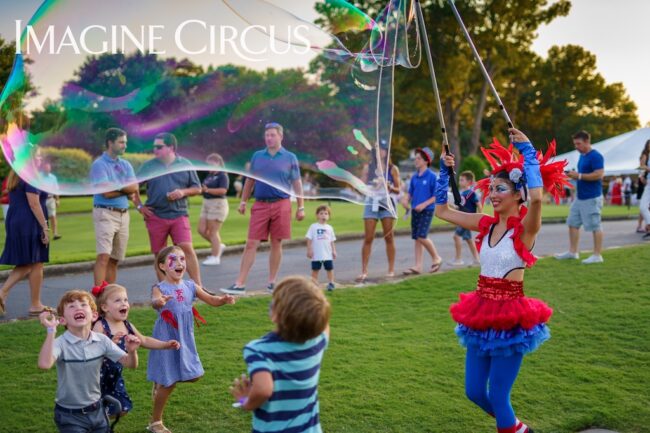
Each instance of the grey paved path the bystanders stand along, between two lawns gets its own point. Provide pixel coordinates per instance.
(138, 280)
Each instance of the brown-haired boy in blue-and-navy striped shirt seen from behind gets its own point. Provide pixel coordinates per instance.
(284, 365)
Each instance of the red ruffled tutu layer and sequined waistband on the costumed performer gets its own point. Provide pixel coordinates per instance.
(499, 304)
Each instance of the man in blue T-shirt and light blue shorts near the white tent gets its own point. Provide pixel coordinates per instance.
(586, 209)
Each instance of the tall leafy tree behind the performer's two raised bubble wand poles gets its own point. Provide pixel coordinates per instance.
(503, 30)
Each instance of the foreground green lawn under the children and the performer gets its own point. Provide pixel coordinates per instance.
(394, 364)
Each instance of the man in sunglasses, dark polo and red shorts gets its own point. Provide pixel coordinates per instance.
(170, 180)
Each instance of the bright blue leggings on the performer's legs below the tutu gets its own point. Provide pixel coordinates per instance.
(500, 372)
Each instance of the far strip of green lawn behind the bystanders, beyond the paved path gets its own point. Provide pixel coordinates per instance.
(78, 242)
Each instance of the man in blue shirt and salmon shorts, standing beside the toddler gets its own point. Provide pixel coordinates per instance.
(271, 212)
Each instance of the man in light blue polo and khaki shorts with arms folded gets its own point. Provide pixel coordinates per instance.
(111, 208)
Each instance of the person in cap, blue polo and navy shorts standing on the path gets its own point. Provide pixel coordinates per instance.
(422, 198)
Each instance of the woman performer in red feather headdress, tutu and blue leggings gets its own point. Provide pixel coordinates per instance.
(497, 323)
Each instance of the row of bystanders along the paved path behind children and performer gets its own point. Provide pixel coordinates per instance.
(31, 221)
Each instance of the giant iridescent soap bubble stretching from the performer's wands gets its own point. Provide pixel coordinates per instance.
(213, 73)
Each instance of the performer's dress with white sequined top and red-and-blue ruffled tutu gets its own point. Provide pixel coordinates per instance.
(497, 319)
